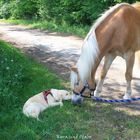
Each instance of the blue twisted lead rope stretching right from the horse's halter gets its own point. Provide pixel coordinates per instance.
(115, 100)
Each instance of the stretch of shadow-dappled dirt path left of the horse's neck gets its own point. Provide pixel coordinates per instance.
(52, 49)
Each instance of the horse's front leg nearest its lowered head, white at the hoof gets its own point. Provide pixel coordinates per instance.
(107, 63)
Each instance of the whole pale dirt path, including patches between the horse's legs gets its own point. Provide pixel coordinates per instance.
(56, 51)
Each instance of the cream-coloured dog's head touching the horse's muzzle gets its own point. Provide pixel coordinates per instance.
(61, 94)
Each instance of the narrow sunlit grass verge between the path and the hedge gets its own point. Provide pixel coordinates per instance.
(79, 30)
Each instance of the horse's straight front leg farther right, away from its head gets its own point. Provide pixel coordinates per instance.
(129, 58)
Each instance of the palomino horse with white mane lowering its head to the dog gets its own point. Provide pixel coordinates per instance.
(115, 33)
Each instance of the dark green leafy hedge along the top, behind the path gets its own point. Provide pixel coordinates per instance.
(69, 11)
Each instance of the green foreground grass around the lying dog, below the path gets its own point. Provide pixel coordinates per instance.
(21, 77)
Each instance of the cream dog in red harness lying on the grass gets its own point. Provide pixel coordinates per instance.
(38, 103)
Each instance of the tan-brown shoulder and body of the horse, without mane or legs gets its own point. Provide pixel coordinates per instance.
(120, 30)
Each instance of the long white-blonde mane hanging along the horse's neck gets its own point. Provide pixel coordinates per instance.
(90, 49)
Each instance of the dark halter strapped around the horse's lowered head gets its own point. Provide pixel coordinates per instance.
(86, 86)
